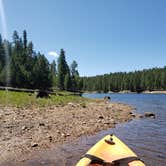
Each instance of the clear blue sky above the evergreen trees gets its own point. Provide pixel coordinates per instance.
(103, 36)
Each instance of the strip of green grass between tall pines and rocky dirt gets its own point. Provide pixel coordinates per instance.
(23, 99)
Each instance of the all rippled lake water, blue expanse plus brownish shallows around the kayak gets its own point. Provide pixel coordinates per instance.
(147, 137)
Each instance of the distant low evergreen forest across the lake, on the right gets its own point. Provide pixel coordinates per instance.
(137, 81)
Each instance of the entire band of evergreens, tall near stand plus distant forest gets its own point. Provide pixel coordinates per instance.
(30, 69)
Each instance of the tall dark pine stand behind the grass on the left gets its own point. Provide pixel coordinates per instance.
(30, 69)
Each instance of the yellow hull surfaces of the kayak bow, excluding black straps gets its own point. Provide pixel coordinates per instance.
(110, 149)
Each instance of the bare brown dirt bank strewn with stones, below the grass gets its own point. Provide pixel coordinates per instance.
(24, 130)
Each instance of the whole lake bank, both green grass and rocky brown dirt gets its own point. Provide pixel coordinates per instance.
(30, 124)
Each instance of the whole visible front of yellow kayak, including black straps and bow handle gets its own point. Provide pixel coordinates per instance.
(110, 151)
